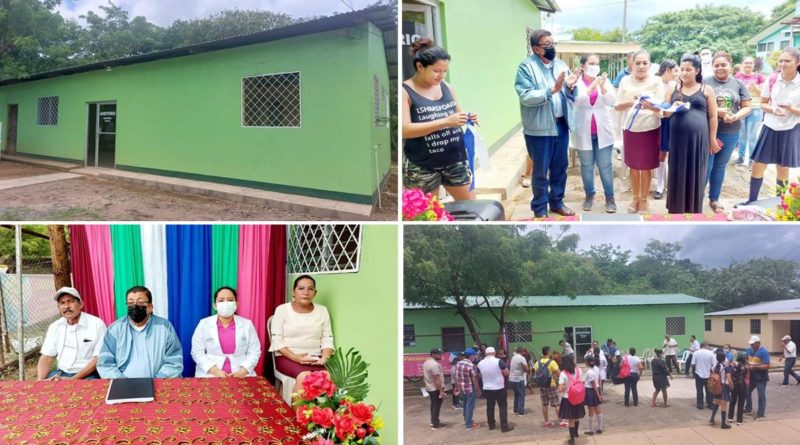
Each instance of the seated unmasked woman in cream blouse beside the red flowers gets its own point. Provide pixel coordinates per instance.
(300, 333)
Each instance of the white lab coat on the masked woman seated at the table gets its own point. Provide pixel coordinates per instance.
(207, 352)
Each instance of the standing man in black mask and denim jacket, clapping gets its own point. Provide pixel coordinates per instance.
(546, 91)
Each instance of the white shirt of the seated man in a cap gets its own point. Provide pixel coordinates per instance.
(74, 346)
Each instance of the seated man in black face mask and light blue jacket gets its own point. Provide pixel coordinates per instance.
(141, 344)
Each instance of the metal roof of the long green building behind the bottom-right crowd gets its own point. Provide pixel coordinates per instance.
(583, 300)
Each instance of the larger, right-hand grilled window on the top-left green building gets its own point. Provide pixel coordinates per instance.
(271, 100)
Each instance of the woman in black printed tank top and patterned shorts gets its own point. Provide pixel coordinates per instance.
(432, 118)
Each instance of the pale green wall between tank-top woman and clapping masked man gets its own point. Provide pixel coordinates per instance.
(486, 41)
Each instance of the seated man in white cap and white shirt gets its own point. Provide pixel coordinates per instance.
(74, 340)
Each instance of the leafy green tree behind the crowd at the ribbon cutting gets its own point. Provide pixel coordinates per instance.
(671, 34)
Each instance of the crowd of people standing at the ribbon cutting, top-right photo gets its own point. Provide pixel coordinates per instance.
(684, 123)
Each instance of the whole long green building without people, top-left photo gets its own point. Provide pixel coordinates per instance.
(302, 110)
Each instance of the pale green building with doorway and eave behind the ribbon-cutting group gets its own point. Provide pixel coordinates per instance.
(487, 41)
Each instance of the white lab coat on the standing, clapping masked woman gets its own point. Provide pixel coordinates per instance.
(582, 133)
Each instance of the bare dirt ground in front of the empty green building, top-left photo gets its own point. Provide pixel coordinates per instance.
(95, 199)
